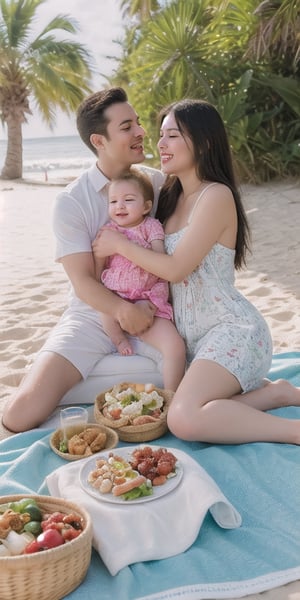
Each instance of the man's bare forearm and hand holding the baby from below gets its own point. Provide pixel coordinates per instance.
(80, 269)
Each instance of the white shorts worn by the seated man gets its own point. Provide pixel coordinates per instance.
(79, 337)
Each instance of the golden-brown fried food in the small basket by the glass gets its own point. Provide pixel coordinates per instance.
(85, 443)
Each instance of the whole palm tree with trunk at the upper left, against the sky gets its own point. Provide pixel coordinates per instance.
(37, 69)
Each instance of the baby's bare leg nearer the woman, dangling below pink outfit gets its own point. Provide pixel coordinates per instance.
(164, 336)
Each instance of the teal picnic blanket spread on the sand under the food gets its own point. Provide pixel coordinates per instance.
(261, 480)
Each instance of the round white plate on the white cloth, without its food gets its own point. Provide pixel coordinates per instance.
(158, 491)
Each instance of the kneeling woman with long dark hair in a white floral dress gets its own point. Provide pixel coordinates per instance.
(223, 396)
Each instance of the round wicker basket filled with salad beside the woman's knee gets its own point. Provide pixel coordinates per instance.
(138, 412)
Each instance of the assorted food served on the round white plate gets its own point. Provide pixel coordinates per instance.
(133, 478)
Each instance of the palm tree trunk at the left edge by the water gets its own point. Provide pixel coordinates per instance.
(13, 166)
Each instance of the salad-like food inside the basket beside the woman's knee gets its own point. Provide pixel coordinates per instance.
(138, 404)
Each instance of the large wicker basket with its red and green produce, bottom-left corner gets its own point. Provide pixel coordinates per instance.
(55, 568)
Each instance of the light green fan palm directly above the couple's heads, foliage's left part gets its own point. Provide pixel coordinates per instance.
(167, 60)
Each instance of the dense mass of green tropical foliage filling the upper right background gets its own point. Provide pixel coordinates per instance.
(241, 55)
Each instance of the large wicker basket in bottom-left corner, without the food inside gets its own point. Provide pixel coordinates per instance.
(51, 574)
